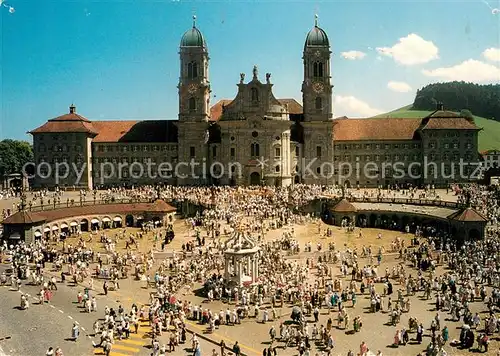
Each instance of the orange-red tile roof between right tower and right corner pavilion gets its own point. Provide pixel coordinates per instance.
(374, 129)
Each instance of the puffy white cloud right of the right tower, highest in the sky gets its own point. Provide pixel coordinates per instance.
(411, 50)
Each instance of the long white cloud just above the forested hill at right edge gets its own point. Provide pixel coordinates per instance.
(470, 70)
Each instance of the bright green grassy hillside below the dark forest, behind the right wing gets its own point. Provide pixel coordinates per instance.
(489, 137)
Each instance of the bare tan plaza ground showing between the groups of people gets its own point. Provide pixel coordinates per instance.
(307, 231)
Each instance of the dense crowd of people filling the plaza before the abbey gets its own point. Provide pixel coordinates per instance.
(332, 281)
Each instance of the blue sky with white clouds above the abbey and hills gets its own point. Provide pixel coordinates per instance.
(119, 59)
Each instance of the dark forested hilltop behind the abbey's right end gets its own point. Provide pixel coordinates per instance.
(481, 100)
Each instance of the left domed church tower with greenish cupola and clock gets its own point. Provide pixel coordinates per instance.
(194, 86)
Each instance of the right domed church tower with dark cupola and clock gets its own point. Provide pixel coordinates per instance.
(317, 87)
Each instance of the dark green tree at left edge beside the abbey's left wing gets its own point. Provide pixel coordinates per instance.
(14, 155)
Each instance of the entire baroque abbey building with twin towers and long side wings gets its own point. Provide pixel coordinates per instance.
(256, 138)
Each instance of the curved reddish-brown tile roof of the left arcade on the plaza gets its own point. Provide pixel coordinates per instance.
(158, 206)
